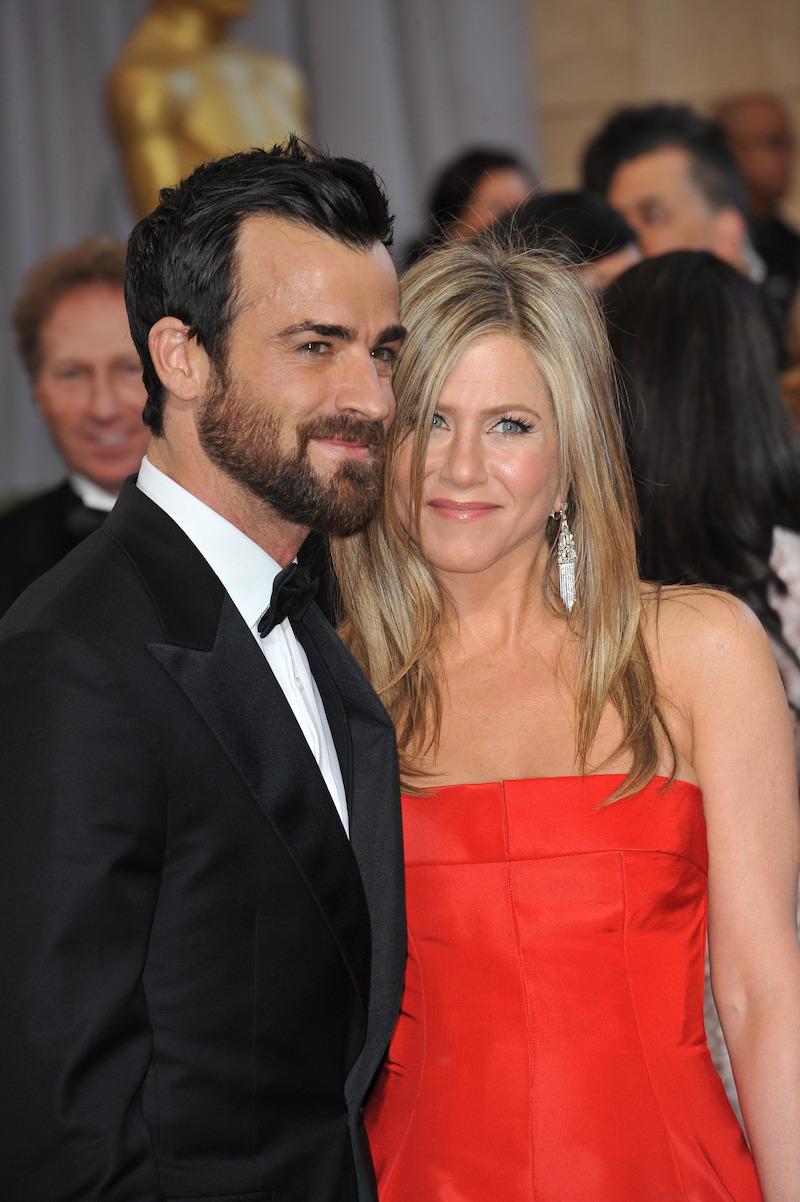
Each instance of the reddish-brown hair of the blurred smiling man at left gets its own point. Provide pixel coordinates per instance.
(93, 261)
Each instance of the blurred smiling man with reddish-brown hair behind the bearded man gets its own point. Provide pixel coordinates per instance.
(75, 342)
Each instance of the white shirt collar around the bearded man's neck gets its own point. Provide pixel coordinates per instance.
(246, 570)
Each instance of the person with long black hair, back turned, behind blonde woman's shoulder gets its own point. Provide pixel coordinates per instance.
(717, 460)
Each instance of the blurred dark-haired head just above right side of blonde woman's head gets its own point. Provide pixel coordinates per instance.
(580, 227)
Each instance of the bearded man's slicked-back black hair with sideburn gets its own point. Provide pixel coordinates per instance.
(182, 259)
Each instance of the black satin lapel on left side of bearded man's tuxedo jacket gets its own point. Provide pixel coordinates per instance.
(213, 658)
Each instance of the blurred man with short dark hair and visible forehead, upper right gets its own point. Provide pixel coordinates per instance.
(668, 171)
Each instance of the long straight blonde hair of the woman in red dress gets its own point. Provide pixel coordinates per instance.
(395, 609)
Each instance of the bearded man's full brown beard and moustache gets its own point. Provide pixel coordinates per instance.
(246, 442)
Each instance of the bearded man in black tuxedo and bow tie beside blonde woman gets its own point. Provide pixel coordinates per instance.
(202, 932)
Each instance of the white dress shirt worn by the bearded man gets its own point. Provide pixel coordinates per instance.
(248, 574)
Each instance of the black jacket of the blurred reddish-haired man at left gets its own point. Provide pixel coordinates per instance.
(35, 535)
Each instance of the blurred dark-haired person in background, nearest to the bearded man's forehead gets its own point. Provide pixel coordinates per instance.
(470, 194)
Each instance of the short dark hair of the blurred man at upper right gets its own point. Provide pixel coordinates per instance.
(632, 133)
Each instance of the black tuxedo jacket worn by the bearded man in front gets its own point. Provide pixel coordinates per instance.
(199, 972)
